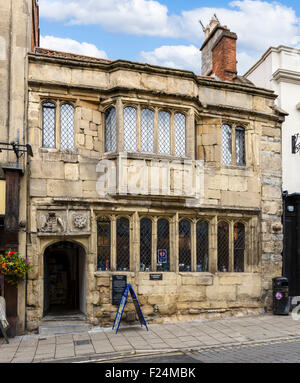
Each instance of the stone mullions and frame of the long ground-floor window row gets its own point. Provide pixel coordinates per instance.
(174, 218)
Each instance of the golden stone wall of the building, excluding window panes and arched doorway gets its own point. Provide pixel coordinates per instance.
(63, 181)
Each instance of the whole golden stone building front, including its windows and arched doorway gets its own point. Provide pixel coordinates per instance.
(141, 170)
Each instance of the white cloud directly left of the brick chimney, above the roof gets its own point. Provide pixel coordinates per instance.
(178, 56)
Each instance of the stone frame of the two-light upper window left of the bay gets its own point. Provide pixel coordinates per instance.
(57, 129)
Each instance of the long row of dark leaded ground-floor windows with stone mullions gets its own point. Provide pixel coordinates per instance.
(172, 243)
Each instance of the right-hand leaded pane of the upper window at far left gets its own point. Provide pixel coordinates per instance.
(67, 126)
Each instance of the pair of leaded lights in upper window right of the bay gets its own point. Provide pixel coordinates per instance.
(233, 145)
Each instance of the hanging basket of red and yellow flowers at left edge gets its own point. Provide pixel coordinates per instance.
(13, 267)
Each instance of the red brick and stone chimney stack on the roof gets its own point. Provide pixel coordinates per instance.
(219, 52)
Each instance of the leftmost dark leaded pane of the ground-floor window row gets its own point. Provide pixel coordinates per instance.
(104, 244)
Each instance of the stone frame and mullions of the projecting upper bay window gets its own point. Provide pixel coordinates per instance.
(120, 106)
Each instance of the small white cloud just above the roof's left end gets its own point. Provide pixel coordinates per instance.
(72, 46)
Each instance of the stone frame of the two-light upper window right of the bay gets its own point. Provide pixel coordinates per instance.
(233, 125)
